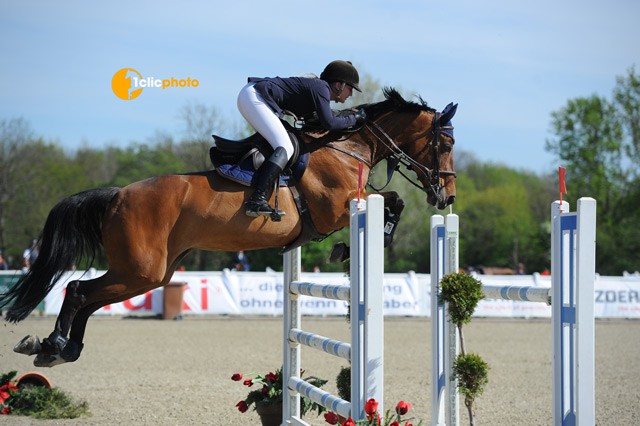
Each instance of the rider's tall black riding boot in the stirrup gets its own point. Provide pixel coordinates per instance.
(258, 203)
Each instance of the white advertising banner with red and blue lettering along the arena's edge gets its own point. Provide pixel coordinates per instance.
(260, 293)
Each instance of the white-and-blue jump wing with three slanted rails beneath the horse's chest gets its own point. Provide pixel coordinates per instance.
(365, 294)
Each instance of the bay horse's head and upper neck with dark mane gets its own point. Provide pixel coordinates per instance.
(422, 139)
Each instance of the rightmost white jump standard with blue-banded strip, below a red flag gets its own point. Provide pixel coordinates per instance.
(573, 248)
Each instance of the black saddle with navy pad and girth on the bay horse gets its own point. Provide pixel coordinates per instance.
(238, 161)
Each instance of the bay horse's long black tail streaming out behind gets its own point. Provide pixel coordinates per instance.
(73, 231)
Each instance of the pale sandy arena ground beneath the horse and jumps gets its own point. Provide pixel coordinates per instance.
(141, 371)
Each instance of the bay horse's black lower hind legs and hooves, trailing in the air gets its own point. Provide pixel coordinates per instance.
(56, 349)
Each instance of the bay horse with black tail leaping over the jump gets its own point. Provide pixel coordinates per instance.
(147, 227)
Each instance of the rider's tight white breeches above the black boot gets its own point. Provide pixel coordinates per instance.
(256, 111)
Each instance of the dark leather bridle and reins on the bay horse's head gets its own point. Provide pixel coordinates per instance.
(398, 156)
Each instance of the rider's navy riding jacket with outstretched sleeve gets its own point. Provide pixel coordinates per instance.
(302, 96)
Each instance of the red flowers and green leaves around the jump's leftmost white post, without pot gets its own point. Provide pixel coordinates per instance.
(269, 391)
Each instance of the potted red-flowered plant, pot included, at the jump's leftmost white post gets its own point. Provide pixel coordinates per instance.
(266, 398)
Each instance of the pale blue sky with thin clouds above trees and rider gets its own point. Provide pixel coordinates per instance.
(508, 64)
